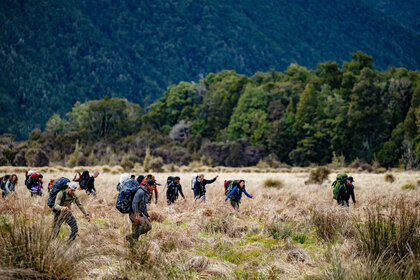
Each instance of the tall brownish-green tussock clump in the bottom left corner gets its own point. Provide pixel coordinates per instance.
(29, 249)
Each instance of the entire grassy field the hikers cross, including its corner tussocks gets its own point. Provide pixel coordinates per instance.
(291, 230)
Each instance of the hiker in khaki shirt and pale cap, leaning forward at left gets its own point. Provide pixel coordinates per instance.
(62, 209)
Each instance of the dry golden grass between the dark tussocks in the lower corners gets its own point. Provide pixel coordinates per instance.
(280, 234)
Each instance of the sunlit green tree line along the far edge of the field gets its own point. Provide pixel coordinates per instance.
(340, 114)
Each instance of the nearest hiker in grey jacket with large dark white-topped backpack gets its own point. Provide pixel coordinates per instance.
(133, 200)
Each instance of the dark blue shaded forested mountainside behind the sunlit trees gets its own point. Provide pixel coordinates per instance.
(54, 53)
